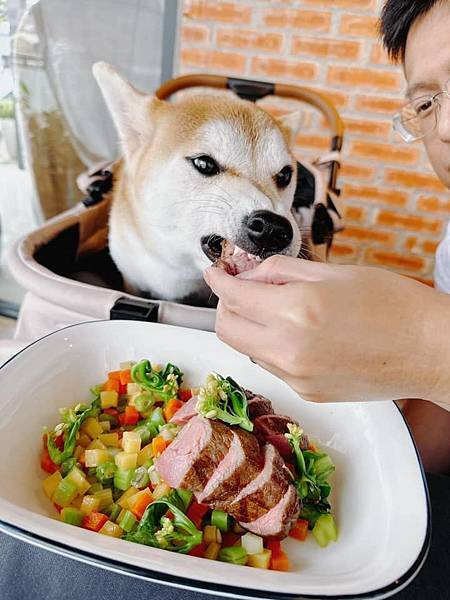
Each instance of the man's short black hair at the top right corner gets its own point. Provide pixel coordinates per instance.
(397, 18)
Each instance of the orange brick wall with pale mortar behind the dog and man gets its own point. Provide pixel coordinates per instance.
(395, 208)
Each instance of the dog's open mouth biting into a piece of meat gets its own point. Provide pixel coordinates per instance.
(228, 256)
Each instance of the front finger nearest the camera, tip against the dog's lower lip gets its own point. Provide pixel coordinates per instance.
(253, 300)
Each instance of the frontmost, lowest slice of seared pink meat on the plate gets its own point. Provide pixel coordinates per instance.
(278, 521)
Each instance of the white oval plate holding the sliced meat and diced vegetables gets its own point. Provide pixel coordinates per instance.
(380, 499)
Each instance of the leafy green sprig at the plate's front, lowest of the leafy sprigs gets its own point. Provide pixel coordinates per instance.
(157, 530)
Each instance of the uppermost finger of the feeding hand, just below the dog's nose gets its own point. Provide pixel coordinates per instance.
(279, 269)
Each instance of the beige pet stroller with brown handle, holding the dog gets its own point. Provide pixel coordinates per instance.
(65, 265)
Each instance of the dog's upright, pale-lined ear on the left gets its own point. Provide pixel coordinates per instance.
(130, 109)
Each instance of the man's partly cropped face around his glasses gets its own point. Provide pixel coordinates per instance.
(427, 71)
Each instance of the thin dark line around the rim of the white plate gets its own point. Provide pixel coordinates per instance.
(207, 587)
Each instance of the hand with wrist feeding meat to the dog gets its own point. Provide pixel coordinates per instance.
(337, 333)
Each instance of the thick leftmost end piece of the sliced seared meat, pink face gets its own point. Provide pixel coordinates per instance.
(195, 453)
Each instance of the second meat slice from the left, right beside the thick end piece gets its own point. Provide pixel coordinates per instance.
(241, 465)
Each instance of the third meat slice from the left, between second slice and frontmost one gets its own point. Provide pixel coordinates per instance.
(264, 491)
